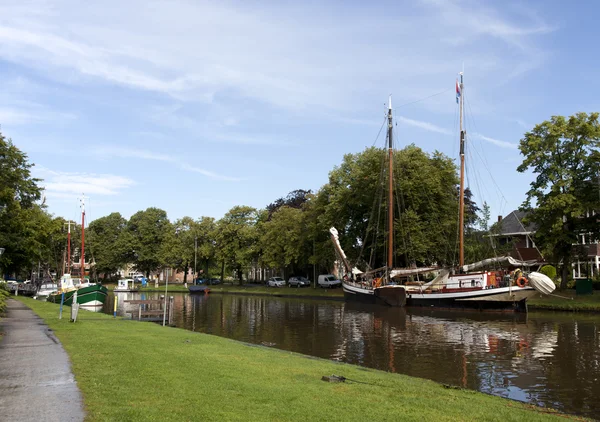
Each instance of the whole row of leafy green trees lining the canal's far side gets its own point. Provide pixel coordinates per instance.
(291, 235)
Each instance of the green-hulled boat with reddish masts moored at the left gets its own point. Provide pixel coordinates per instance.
(90, 296)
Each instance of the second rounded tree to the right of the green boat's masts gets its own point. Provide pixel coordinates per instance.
(146, 232)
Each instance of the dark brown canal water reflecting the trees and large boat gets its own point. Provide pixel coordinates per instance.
(544, 358)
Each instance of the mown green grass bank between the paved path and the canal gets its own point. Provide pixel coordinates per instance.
(130, 371)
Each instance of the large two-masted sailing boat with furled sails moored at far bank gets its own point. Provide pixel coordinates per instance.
(468, 287)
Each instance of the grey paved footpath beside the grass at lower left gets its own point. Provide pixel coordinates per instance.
(36, 382)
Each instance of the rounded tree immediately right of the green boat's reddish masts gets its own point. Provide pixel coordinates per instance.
(108, 243)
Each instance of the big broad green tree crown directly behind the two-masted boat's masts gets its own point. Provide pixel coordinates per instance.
(426, 206)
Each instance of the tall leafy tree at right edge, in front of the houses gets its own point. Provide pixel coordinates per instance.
(564, 155)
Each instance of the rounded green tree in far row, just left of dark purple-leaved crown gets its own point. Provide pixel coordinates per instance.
(236, 238)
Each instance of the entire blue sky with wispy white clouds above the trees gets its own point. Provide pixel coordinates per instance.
(195, 107)
